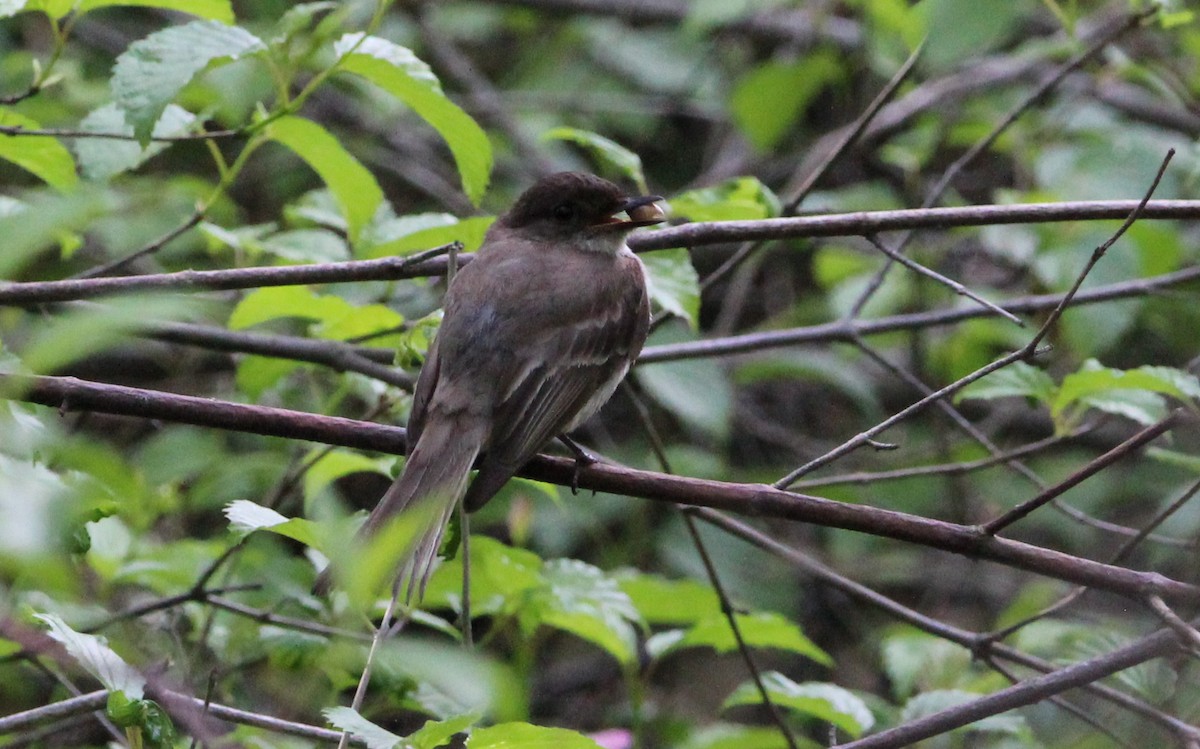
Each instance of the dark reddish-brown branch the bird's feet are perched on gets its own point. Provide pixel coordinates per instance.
(68, 394)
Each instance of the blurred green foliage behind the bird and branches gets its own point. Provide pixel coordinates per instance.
(593, 613)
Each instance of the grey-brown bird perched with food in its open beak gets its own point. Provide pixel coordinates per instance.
(538, 332)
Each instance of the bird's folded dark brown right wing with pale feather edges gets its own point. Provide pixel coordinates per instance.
(577, 367)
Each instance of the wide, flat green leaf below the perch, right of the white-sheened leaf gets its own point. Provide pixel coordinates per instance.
(764, 630)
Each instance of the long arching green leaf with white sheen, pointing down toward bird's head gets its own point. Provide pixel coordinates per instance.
(398, 71)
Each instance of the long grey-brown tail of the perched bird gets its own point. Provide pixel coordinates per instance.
(435, 480)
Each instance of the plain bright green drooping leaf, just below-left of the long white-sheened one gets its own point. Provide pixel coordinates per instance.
(353, 187)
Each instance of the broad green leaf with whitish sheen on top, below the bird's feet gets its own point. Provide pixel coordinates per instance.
(579, 598)
